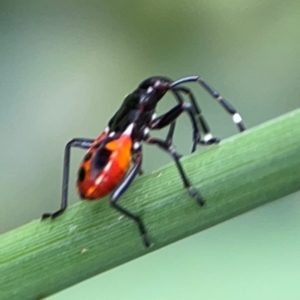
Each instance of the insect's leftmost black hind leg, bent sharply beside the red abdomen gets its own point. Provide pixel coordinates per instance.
(75, 143)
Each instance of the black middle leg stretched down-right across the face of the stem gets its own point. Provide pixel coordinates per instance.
(168, 147)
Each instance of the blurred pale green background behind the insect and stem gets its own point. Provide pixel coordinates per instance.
(65, 68)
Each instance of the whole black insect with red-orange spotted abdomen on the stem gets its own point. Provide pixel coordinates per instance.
(106, 166)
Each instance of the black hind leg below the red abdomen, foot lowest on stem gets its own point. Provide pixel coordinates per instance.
(122, 188)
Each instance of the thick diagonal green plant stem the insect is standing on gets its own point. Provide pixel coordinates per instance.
(243, 172)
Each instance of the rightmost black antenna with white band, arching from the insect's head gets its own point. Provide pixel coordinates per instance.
(215, 94)
